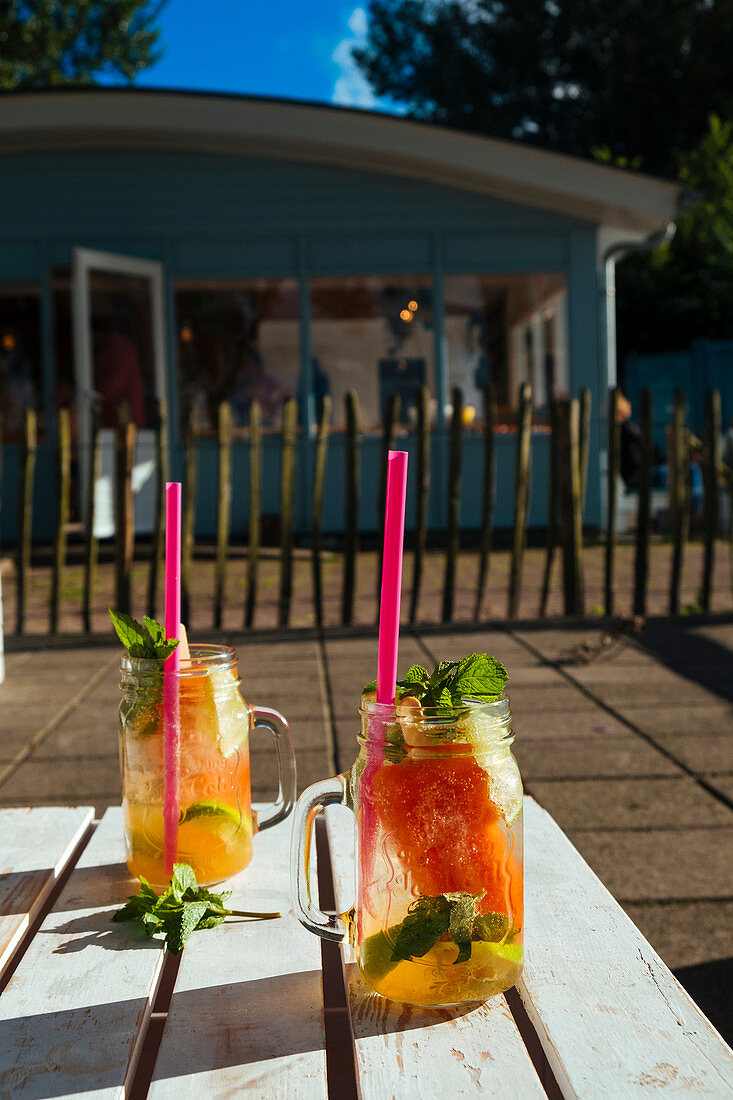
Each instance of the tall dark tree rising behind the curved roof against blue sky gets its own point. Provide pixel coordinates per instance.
(638, 76)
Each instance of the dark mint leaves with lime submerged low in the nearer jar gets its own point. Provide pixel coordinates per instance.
(429, 921)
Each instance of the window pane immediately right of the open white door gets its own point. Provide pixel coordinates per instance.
(238, 342)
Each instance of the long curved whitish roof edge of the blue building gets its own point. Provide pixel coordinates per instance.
(633, 204)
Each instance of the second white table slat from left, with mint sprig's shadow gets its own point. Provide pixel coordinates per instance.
(73, 1016)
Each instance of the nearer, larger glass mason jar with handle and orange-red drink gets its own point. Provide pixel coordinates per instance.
(439, 915)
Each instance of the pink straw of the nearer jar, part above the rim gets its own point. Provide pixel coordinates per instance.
(395, 536)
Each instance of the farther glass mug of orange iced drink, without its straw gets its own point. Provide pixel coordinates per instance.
(216, 822)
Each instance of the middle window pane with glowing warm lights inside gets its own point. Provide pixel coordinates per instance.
(374, 335)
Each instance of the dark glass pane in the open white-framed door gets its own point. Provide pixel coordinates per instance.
(123, 347)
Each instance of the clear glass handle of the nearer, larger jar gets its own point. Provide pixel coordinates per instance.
(314, 799)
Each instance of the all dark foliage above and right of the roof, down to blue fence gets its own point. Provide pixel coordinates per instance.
(637, 84)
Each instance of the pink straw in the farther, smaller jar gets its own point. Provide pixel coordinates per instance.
(171, 711)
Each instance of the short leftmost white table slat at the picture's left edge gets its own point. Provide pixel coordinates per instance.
(36, 846)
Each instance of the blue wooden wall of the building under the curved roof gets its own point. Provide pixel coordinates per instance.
(216, 216)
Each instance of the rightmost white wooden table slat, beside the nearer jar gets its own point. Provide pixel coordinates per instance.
(612, 1019)
